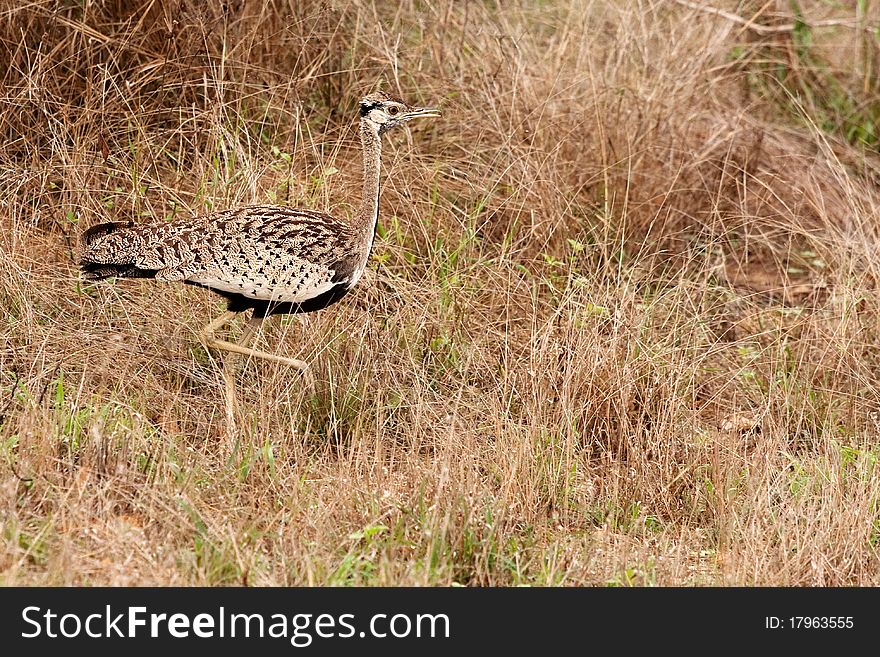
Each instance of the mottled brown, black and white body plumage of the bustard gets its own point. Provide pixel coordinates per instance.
(271, 259)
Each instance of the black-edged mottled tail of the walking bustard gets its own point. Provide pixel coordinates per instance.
(111, 249)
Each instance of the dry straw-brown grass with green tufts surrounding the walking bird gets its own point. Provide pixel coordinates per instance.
(621, 325)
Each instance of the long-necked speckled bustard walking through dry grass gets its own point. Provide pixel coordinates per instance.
(269, 259)
